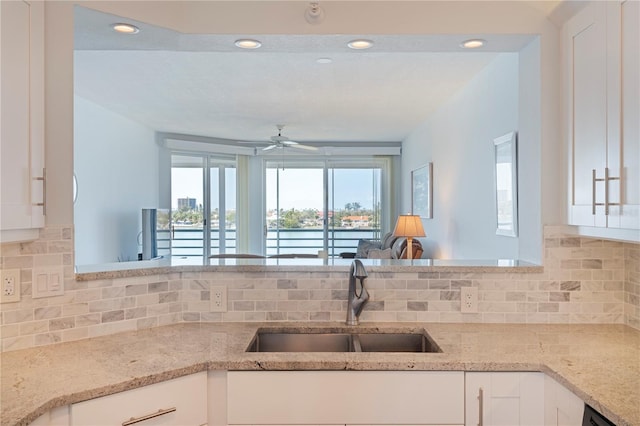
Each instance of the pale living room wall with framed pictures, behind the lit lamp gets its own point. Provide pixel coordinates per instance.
(458, 139)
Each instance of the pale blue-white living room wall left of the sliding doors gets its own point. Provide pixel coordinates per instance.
(118, 159)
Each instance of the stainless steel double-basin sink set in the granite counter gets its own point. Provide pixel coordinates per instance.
(266, 340)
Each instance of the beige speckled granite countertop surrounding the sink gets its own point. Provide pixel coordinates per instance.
(599, 363)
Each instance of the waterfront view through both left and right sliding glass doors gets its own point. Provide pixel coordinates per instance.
(309, 207)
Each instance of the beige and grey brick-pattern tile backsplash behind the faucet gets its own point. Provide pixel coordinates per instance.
(585, 280)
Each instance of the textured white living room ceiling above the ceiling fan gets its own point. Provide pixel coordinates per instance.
(203, 85)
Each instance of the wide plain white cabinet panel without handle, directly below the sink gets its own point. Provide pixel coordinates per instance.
(345, 397)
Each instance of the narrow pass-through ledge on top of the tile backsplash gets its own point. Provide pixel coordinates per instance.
(172, 265)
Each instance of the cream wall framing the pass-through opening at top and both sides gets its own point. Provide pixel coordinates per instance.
(419, 17)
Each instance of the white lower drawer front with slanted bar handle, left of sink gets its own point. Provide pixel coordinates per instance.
(179, 402)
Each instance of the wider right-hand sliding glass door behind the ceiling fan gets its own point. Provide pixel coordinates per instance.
(322, 205)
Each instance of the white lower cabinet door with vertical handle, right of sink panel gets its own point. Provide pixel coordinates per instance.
(507, 399)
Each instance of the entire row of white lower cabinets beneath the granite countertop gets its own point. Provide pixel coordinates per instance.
(334, 398)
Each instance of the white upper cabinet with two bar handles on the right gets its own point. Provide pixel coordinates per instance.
(601, 47)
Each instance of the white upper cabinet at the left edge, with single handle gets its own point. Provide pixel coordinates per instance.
(21, 120)
